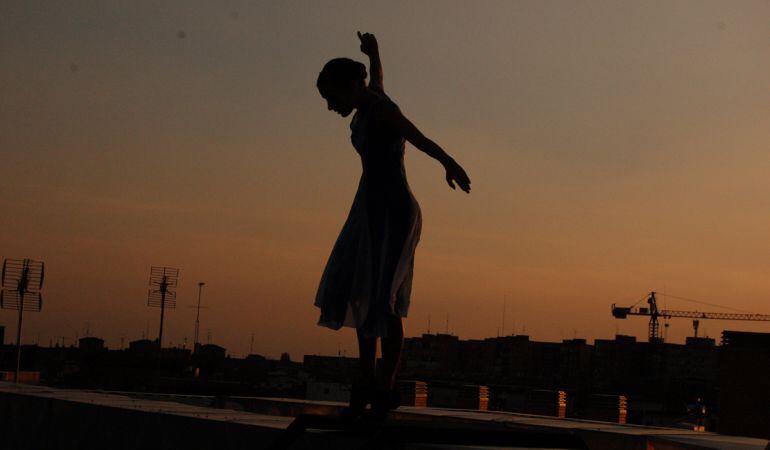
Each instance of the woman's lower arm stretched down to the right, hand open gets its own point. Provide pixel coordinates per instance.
(394, 120)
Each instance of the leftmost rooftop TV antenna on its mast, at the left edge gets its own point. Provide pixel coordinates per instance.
(22, 280)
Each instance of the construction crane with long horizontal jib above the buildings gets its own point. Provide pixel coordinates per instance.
(653, 312)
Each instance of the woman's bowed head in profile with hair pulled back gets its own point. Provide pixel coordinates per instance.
(340, 83)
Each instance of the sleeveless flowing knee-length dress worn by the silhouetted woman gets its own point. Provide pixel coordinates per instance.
(368, 276)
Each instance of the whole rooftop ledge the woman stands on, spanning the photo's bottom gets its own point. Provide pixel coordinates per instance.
(38, 417)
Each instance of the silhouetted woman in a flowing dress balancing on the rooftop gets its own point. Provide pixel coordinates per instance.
(368, 278)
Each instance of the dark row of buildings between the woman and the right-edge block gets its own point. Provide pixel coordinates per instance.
(654, 381)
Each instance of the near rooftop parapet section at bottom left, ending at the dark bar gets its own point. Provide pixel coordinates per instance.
(40, 418)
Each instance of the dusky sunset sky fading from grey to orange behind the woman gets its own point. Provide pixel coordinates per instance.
(615, 147)
